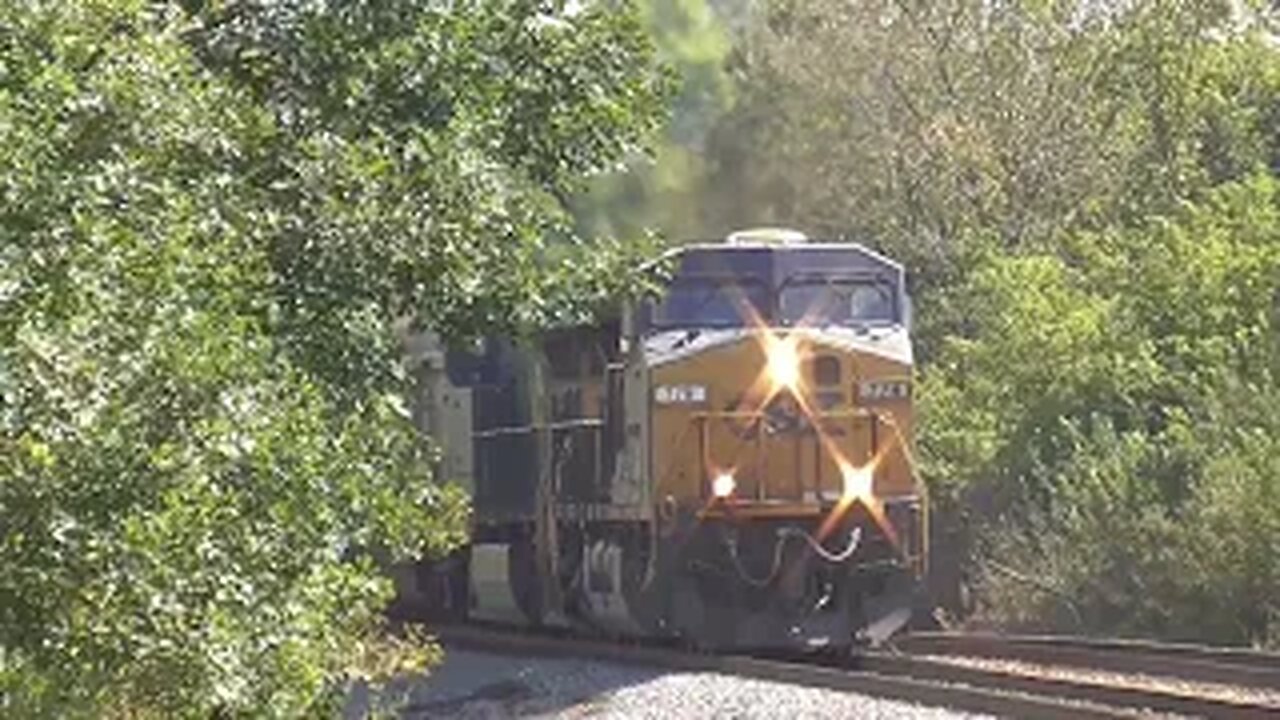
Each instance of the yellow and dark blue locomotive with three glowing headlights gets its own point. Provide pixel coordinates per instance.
(728, 463)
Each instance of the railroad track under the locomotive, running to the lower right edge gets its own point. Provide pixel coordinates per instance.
(924, 669)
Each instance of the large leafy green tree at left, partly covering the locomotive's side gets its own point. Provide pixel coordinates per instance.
(214, 217)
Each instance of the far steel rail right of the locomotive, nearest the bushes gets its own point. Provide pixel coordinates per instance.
(1232, 667)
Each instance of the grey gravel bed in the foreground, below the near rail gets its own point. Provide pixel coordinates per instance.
(486, 686)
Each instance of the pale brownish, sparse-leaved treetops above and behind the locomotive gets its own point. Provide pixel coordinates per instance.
(936, 124)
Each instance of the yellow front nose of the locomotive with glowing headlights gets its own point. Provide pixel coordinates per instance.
(775, 416)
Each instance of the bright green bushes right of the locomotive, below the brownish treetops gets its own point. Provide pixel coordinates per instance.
(1116, 418)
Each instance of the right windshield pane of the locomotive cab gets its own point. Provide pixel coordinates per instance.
(821, 302)
